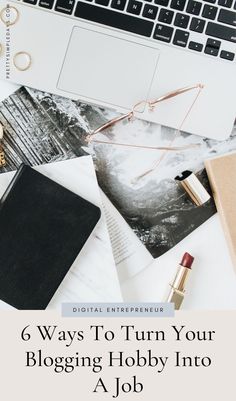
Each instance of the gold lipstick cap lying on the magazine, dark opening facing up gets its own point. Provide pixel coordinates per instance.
(193, 187)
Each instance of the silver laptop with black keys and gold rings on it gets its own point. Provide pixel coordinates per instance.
(115, 53)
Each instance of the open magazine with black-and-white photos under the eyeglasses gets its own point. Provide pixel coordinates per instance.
(139, 190)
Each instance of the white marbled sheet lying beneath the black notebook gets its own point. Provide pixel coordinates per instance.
(93, 276)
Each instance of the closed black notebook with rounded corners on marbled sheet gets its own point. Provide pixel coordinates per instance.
(43, 228)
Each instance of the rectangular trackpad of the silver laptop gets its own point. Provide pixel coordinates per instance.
(107, 69)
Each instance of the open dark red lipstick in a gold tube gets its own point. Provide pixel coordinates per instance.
(177, 291)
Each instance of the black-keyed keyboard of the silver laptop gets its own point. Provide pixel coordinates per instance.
(170, 21)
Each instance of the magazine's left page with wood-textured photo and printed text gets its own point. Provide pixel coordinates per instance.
(38, 131)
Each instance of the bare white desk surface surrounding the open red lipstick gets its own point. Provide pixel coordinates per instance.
(212, 284)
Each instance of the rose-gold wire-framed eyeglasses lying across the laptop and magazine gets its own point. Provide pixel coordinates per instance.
(131, 115)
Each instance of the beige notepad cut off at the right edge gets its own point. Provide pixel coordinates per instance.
(222, 176)
